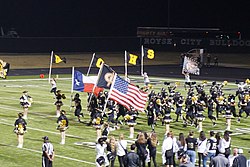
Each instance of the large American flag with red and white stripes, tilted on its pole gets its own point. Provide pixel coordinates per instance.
(127, 94)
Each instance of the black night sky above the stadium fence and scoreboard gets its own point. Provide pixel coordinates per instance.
(81, 18)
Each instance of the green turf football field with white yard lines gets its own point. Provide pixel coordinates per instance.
(78, 151)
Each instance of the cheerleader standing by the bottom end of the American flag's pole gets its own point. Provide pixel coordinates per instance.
(98, 121)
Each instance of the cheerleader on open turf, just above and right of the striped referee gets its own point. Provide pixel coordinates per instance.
(62, 125)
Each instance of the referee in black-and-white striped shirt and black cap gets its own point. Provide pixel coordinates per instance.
(48, 153)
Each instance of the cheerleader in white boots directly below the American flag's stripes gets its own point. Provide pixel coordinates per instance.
(130, 118)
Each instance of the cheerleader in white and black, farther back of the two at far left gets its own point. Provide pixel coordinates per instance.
(25, 101)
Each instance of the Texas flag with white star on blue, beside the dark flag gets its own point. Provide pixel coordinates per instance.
(85, 83)
